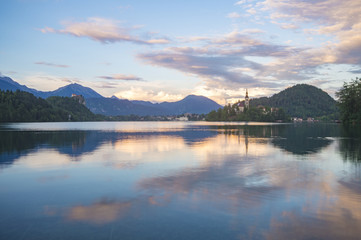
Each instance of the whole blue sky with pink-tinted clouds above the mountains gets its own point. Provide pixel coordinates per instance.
(163, 50)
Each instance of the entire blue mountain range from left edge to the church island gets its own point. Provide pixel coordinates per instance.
(114, 106)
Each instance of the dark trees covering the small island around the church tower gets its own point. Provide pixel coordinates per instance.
(258, 114)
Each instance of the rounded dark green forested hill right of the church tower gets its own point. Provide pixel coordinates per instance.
(301, 100)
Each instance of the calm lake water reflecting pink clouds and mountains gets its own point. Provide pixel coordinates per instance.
(179, 180)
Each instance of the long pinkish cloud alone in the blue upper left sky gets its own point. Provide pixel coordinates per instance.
(104, 31)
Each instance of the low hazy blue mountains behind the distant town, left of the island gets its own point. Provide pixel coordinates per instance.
(113, 106)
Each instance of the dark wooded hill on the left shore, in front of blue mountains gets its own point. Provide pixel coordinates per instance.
(22, 106)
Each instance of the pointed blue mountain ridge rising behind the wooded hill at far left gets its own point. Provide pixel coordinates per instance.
(7, 83)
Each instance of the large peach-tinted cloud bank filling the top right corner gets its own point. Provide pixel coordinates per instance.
(331, 18)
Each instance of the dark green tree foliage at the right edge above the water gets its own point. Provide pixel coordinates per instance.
(349, 101)
